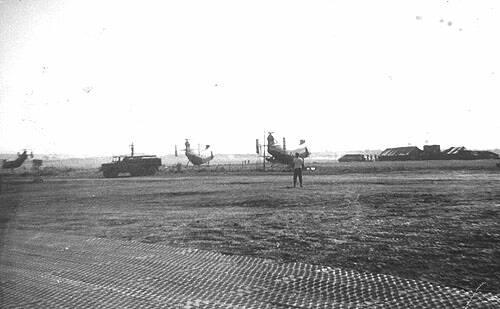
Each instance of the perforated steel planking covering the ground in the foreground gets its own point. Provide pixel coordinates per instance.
(41, 270)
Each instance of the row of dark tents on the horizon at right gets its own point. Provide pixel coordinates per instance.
(430, 152)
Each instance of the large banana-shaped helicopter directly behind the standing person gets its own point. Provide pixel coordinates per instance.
(279, 154)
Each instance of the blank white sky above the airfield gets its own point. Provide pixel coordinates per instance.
(87, 78)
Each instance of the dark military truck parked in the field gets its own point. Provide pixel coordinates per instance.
(145, 165)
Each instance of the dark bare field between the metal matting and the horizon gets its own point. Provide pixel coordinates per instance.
(439, 226)
